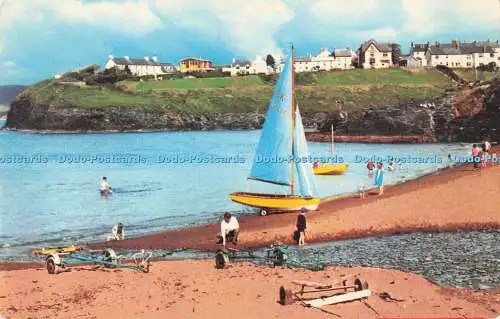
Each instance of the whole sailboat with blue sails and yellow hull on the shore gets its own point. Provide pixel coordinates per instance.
(281, 155)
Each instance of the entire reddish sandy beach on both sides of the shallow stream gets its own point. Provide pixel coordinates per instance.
(460, 198)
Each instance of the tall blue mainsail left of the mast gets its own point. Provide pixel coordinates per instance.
(272, 157)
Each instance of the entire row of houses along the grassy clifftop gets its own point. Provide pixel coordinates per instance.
(370, 55)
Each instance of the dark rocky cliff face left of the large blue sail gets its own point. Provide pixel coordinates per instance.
(29, 116)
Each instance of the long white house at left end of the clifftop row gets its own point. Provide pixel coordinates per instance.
(140, 67)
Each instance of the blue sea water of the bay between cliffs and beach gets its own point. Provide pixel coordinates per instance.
(49, 182)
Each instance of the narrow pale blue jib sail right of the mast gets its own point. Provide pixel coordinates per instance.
(303, 166)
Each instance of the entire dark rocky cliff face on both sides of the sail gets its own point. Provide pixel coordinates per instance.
(468, 115)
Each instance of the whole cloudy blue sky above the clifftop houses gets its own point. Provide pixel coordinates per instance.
(41, 38)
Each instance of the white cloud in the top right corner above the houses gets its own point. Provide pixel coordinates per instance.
(427, 17)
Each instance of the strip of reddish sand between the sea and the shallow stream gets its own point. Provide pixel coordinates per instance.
(460, 198)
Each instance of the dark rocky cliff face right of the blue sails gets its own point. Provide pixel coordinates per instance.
(469, 115)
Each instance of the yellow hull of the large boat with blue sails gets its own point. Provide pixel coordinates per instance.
(275, 202)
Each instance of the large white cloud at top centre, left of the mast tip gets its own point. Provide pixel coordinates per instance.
(248, 27)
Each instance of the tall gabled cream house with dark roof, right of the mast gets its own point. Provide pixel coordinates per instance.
(374, 55)
